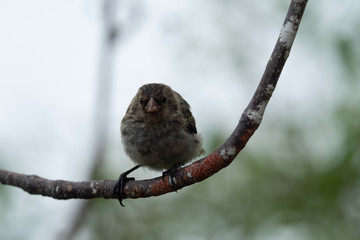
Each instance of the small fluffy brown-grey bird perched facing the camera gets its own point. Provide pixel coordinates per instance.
(159, 132)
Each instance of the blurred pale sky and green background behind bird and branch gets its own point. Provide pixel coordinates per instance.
(69, 69)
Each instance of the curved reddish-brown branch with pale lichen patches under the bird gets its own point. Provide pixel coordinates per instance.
(197, 171)
